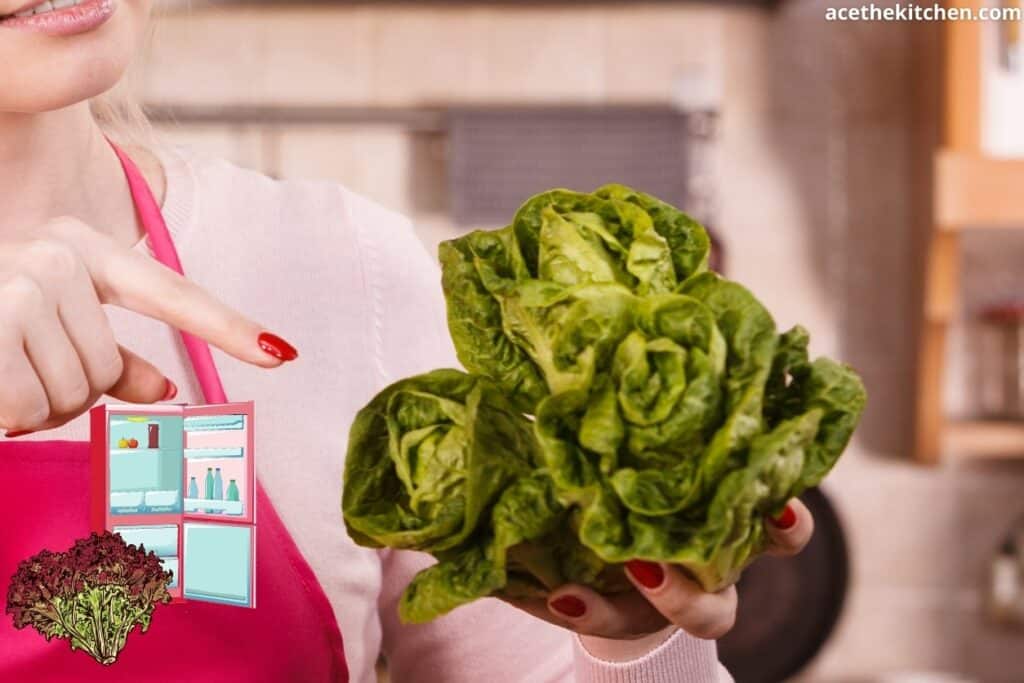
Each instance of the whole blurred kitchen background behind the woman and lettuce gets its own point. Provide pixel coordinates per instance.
(808, 147)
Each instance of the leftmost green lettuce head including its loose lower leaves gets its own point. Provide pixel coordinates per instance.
(441, 463)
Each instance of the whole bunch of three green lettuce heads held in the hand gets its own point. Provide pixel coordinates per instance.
(623, 404)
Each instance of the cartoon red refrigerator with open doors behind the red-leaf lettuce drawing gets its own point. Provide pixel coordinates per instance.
(181, 480)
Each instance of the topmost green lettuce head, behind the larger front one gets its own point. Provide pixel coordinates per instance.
(536, 307)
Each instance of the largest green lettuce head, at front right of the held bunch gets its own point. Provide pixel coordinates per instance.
(697, 434)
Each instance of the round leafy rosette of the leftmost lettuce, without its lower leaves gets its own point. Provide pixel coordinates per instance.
(428, 457)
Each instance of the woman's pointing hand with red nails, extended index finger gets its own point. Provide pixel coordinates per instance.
(58, 353)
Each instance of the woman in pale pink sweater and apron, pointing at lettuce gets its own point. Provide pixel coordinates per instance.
(350, 284)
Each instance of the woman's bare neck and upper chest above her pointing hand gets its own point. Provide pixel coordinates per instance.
(60, 164)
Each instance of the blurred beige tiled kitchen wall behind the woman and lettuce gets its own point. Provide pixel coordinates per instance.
(822, 175)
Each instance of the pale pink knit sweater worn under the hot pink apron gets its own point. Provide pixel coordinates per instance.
(350, 284)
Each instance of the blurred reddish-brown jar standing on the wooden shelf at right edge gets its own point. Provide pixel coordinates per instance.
(1002, 391)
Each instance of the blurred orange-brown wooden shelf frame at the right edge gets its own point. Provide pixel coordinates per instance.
(971, 191)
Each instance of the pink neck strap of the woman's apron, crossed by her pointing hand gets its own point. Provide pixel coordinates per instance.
(163, 249)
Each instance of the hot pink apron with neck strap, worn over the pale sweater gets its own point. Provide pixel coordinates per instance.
(292, 635)
